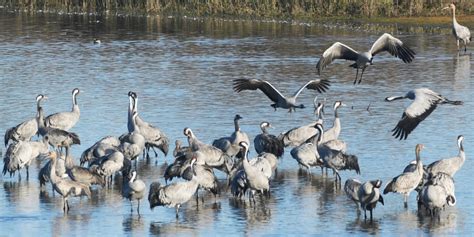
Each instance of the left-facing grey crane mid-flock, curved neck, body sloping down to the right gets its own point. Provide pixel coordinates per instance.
(213, 156)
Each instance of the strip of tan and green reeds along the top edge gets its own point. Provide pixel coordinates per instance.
(283, 9)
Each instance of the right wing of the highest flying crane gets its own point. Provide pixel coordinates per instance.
(394, 46)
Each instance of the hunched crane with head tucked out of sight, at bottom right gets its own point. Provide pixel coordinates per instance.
(438, 192)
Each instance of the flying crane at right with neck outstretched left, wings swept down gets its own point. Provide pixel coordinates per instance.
(424, 103)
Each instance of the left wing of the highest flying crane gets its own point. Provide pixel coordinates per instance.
(336, 51)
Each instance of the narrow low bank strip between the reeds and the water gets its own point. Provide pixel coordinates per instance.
(403, 23)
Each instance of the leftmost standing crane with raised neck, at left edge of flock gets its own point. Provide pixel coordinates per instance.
(25, 130)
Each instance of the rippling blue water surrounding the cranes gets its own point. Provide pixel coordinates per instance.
(182, 70)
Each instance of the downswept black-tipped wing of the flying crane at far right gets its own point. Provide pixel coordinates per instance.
(423, 105)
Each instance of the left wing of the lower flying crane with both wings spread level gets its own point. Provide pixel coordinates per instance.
(254, 84)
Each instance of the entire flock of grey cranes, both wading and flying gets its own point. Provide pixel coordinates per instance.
(194, 165)
